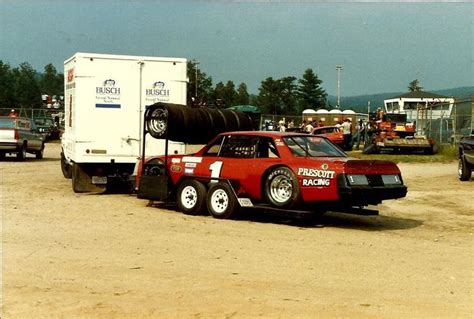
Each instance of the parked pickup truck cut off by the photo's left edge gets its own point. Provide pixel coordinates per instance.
(19, 135)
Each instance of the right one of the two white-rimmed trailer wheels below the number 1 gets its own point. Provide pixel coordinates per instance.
(221, 201)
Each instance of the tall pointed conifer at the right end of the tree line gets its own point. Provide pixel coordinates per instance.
(310, 93)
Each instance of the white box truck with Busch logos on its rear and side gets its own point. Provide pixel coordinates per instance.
(105, 100)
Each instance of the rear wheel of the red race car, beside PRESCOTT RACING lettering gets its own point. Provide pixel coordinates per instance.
(281, 188)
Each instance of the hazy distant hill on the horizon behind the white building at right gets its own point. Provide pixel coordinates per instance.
(359, 103)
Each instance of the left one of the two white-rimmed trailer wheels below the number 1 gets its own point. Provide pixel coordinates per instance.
(191, 197)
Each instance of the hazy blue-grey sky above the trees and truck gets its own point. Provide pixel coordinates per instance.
(382, 46)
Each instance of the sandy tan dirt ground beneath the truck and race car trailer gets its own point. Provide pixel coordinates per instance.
(69, 255)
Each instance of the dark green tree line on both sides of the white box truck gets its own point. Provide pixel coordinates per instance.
(22, 86)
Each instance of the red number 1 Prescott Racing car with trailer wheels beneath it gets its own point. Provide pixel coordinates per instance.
(286, 172)
